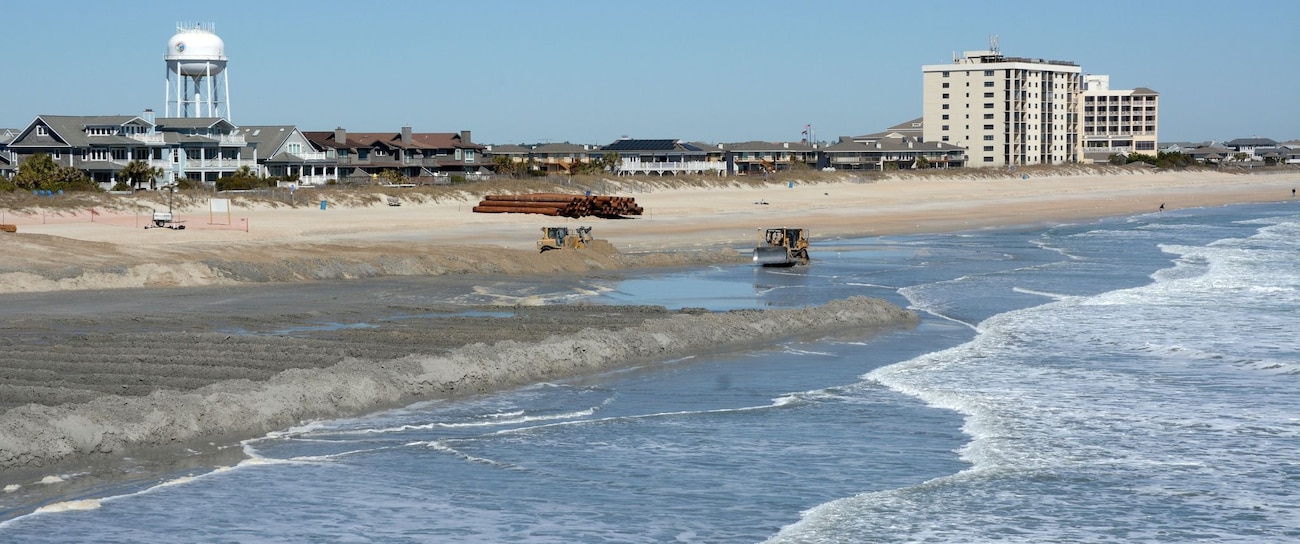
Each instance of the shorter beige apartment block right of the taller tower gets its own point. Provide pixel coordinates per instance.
(1117, 122)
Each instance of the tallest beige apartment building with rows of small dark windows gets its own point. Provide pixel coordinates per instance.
(1004, 111)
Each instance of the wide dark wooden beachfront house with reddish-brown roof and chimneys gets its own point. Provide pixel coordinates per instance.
(419, 158)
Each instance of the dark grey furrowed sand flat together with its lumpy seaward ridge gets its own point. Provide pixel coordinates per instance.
(180, 388)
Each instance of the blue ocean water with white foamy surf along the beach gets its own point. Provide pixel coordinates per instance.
(1133, 379)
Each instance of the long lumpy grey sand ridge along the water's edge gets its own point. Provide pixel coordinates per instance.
(34, 437)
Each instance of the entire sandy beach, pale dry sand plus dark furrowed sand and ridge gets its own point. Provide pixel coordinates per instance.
(94, 366)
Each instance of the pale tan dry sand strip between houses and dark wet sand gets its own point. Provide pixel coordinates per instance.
(681, 227)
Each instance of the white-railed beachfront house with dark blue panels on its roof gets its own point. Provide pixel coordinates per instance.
(662, 158)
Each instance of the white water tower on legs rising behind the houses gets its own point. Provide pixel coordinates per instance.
(198, 84)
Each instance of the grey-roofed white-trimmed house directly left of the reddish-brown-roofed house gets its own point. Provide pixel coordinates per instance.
(283, 152)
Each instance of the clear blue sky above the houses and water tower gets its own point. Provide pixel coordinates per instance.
(591, 72)
